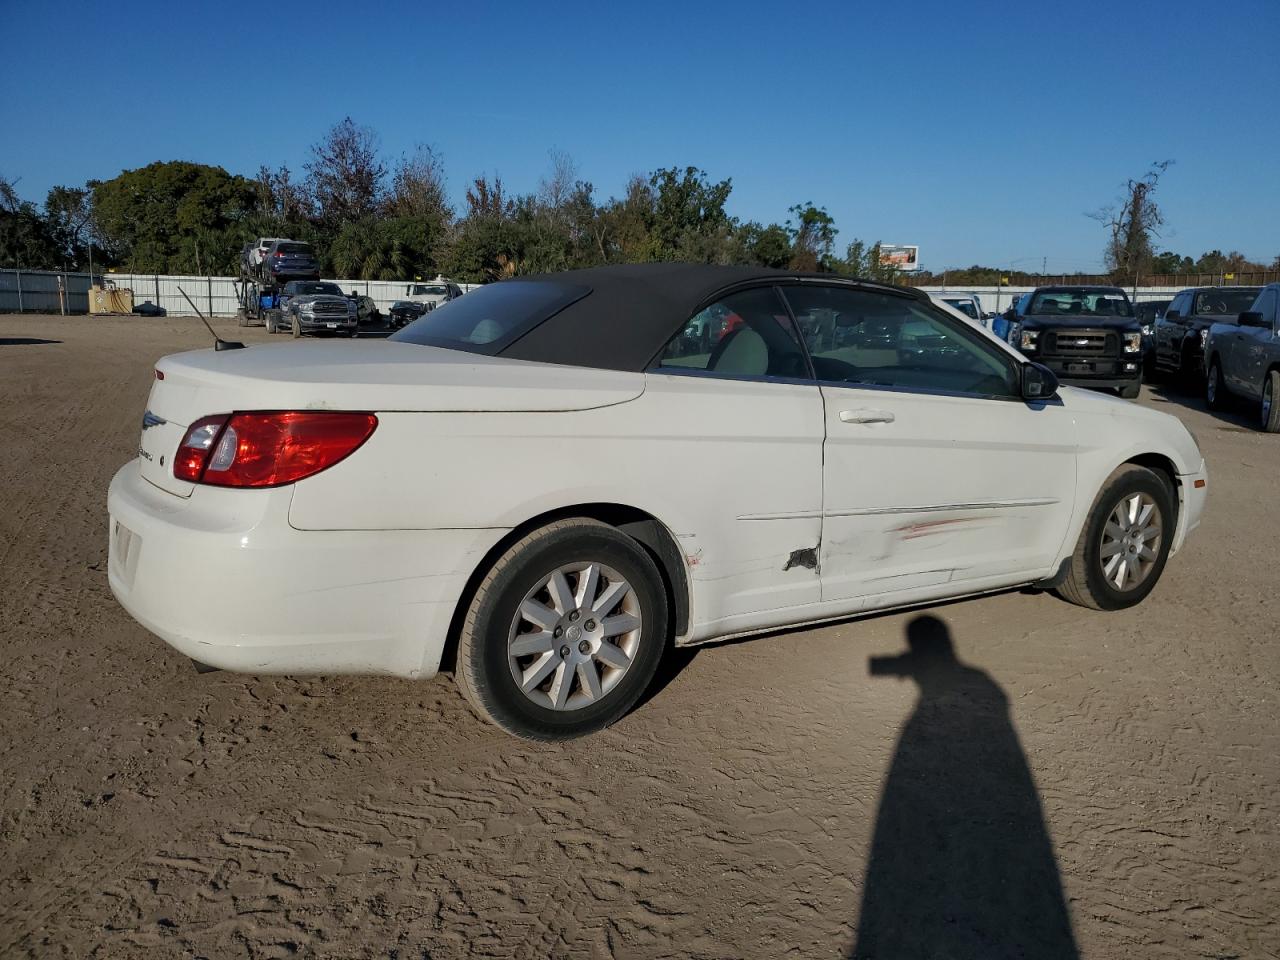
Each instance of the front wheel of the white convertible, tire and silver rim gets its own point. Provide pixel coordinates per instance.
(1124, 545)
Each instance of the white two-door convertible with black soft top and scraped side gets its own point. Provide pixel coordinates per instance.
(546, 483)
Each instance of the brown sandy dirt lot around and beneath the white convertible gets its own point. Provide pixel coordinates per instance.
(152, 812)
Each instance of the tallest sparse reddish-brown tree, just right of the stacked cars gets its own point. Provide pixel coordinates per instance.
(345, 175)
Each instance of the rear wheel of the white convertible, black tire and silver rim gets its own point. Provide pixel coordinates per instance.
(565, 633)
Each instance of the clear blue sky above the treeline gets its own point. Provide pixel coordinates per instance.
(981, 131)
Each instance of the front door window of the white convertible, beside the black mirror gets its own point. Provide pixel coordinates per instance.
(885, 340)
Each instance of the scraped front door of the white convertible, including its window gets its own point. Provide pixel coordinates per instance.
(936, 473)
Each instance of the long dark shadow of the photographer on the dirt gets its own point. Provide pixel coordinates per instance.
(962, 865)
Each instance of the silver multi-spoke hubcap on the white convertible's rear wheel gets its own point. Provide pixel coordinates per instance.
(574, 637)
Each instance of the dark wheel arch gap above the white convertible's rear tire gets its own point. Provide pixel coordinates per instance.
(642, 527)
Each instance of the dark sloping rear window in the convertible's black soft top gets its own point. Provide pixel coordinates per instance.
(490, 319)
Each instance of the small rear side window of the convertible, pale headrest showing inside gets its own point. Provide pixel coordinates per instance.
(744, 335)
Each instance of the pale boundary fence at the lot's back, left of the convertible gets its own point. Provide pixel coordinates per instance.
(49, 292)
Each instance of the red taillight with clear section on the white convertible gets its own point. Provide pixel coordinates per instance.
(268, 450)
